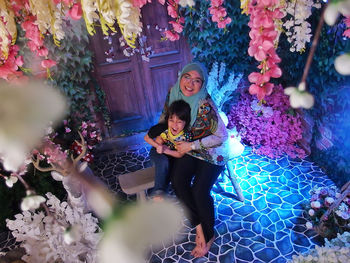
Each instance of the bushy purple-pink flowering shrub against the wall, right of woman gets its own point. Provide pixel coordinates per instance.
(272, 128)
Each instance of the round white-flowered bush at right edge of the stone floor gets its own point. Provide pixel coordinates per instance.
(337, 221)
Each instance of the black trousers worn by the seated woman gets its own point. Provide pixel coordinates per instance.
(192, 180)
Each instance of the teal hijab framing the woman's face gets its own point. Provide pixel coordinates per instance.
(193, 101)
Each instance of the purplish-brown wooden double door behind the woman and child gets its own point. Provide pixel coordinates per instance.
(136, 89)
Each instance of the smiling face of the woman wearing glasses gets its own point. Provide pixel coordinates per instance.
(191, 83)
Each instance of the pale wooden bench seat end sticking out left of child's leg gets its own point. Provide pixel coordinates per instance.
(137, 182)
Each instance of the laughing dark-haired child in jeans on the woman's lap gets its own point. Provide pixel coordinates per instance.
(178, 119)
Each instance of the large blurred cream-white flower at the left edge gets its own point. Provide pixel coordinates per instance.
(25, 112)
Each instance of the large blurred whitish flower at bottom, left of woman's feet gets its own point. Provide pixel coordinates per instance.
(127, 238)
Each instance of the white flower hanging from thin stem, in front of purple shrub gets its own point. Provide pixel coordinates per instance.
(299, 97)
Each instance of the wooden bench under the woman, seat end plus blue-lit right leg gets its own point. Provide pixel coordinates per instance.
(140, 181)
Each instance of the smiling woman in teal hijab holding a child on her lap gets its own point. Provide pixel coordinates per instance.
(193, 175)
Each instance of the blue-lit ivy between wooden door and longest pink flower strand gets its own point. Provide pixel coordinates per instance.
(209, 43)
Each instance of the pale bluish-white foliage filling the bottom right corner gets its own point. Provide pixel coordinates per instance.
(337, 250)
